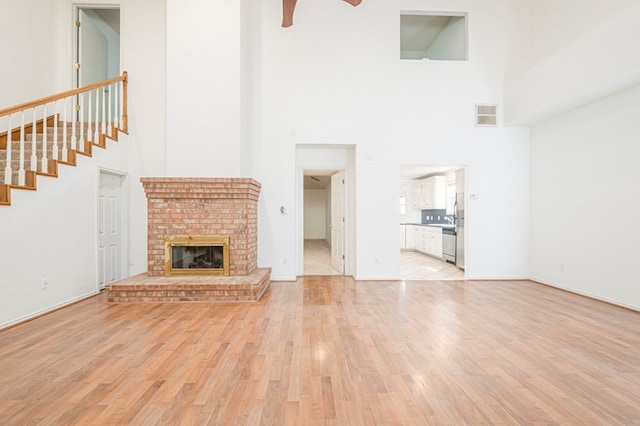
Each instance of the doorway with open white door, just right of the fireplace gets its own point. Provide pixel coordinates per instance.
(323, 232)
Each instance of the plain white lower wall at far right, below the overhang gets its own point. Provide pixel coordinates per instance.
(585, 195)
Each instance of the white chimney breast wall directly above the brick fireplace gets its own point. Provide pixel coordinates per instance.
(203, 88)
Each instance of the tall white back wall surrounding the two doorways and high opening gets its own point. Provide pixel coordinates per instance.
(330, 79)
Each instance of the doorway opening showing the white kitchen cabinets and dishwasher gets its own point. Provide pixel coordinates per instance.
(432, 222)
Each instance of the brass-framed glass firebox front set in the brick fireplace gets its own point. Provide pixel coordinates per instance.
(197, 255)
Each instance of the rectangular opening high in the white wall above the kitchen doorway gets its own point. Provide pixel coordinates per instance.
(435, 36)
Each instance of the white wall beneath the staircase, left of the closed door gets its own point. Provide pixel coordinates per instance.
(44, 236)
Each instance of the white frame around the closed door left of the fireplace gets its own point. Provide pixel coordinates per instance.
(124, 221)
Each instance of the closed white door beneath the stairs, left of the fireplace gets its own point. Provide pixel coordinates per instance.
(109, 229)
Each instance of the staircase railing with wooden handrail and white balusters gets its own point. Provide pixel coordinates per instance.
(53, 130)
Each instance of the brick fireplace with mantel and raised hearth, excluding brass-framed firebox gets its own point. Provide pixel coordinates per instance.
(192, 209)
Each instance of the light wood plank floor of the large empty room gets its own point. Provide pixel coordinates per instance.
(330, 351)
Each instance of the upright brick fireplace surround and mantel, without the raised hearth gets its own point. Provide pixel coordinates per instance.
(203, 206)
